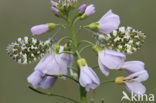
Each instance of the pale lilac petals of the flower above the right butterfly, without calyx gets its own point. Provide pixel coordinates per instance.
(109, 22)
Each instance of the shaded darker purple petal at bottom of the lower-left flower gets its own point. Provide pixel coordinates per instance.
(48, 82)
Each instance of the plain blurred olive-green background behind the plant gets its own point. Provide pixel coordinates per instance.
(18, 16)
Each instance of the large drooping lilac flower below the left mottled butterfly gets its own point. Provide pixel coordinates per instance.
(53, 64)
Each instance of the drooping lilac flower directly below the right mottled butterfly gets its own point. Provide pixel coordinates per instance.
(109, 59)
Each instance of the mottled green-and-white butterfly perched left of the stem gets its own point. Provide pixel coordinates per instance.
(27, 50)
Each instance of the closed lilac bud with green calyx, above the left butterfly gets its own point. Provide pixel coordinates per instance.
(43, 28)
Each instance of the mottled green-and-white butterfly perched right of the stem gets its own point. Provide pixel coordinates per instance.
(125, 40)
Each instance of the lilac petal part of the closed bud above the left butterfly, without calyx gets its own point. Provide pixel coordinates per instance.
(39, 29)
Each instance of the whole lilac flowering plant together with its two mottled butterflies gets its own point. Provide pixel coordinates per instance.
(63, 61)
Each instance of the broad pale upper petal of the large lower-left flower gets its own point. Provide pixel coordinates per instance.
(52, 64)
